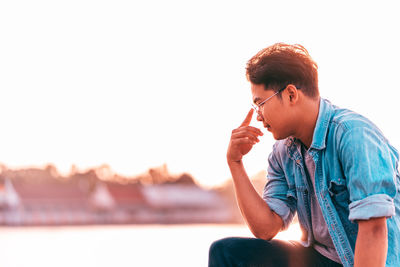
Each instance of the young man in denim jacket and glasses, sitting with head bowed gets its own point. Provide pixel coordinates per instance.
(330, 165)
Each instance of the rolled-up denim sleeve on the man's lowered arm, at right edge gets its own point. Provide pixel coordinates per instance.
(369, 165)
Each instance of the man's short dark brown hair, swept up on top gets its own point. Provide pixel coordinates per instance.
(281, 64)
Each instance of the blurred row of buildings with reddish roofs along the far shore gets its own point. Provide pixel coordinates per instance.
(42, 197)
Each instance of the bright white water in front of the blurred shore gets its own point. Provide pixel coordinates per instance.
(116, 246)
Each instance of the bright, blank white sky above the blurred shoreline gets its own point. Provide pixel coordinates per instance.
(136, 84)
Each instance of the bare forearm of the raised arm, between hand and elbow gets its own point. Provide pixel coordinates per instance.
(262, 221)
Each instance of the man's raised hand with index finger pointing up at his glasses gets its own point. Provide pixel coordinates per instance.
(243, 139)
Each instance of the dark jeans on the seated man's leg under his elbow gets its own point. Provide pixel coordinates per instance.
(236, 251)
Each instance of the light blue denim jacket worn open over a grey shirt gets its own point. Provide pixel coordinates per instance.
(356, 178)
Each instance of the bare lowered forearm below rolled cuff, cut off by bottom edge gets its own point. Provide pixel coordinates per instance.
(372, 243)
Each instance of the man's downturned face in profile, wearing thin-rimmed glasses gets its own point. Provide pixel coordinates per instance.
(273, 113)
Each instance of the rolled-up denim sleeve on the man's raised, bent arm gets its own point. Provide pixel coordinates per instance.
(276, 191)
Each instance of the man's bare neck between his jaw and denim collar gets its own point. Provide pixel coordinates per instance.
(307, 121)
